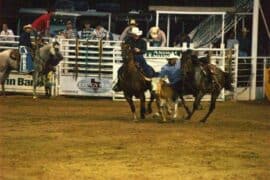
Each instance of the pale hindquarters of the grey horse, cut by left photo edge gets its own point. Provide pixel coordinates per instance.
(9, 60)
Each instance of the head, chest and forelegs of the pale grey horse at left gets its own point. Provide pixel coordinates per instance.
(45, 59)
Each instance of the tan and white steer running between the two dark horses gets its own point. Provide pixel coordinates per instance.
(165, 97)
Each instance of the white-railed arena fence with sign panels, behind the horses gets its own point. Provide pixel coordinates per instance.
(90, 68)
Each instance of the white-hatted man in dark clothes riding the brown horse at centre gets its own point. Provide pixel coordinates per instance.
(139, 48)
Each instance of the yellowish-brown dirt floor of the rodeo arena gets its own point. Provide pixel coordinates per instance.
(78, 138)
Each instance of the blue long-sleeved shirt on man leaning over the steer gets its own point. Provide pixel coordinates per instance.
(173, 72)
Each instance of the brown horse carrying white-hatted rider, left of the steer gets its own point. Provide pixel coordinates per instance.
(133, 82)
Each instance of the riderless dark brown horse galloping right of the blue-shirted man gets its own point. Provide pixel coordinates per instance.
(198, 81)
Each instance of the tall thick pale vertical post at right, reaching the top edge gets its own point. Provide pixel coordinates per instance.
(254, 46)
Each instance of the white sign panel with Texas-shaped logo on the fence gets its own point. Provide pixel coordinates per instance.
(86, 86)
